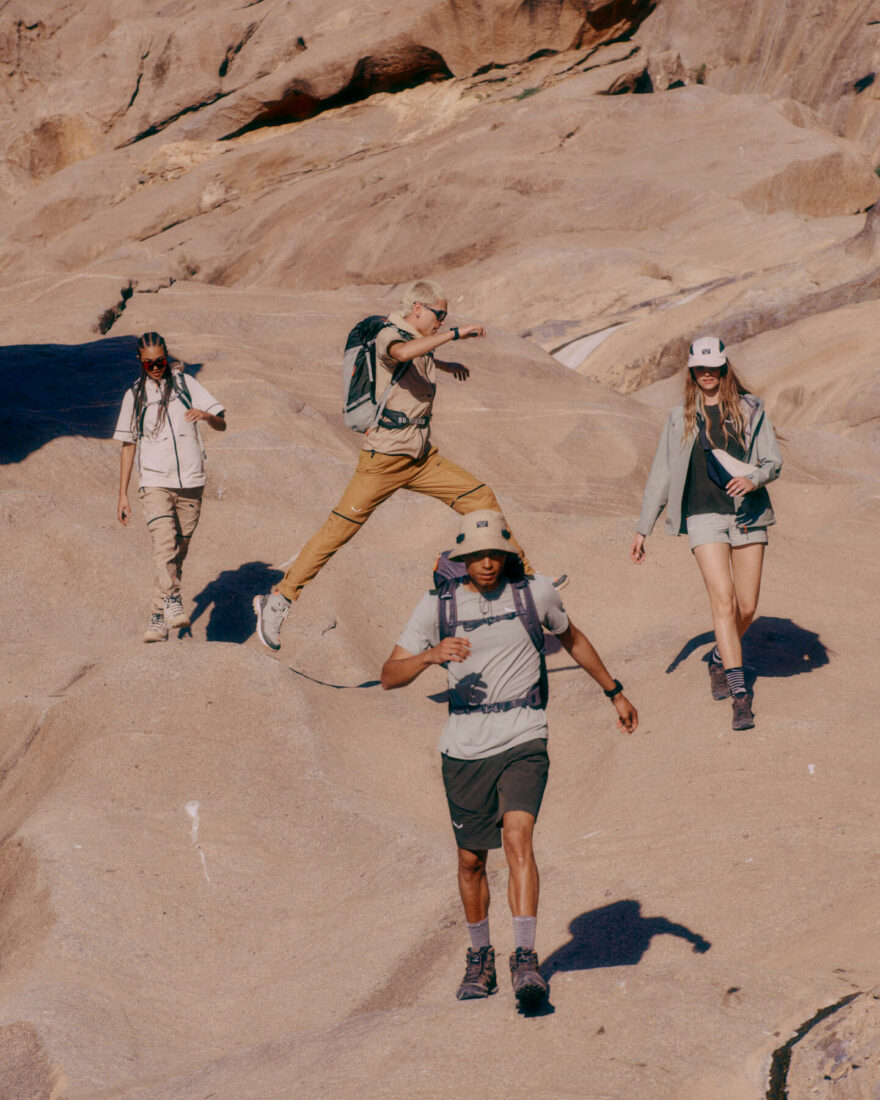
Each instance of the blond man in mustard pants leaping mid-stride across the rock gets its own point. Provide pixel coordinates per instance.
(394, 457)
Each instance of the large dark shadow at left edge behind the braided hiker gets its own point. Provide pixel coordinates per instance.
(49, 391)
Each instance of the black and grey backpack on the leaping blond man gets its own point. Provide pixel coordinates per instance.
(361, 411)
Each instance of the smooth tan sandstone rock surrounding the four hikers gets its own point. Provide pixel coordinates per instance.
(225, 873)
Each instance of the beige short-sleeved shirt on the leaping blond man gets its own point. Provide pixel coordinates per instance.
(413, 395)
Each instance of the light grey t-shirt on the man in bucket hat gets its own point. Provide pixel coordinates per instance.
(503, 666)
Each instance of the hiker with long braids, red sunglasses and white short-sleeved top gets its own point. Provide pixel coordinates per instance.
(160, 419)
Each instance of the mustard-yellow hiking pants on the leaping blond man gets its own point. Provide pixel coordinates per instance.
(378, 478)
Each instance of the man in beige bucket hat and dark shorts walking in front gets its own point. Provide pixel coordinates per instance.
(494, 743)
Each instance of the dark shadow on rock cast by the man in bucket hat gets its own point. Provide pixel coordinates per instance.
(614, 936)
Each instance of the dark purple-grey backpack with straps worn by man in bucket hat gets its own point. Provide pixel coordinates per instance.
(448, 576)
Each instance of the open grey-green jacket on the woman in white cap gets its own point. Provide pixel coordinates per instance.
(669, 472)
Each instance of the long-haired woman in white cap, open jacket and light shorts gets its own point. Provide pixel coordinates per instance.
(716, 456)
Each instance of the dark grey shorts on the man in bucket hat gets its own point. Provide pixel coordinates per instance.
(481, 793)
